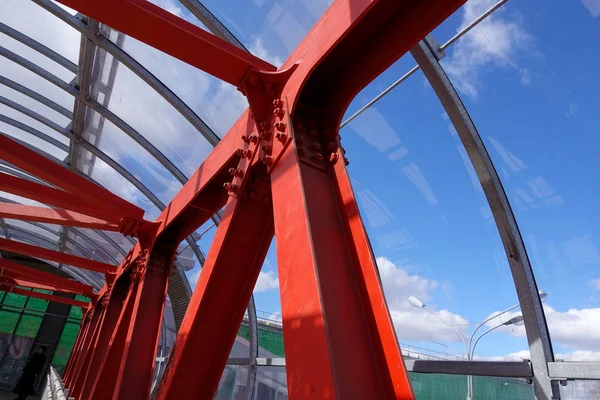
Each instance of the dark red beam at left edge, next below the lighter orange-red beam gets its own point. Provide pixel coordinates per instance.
(56, 256)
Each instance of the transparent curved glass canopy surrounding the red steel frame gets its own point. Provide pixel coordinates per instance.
(139, 123)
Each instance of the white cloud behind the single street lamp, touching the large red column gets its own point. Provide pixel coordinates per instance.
(412, 323)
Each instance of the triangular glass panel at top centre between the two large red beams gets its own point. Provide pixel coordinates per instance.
(270, 30)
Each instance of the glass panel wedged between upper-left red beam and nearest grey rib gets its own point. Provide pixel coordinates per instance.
(217, 103)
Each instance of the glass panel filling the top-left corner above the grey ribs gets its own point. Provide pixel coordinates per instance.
(40, 25)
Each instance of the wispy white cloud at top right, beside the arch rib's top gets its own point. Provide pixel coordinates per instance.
(496, 41)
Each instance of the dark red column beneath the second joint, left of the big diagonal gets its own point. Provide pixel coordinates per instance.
(138, 357)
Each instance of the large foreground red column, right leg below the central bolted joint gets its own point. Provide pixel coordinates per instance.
(339, 338)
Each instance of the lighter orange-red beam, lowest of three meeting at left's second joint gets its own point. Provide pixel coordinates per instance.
(55, 216)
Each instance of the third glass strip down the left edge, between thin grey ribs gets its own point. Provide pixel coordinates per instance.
(32, 81)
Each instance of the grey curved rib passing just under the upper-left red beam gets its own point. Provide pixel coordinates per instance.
(136, 67)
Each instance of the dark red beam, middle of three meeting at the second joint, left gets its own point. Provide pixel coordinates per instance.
(49, 195)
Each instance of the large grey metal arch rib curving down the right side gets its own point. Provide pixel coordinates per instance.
(536, 327)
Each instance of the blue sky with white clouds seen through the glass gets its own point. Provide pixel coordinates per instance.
(528, 77)
